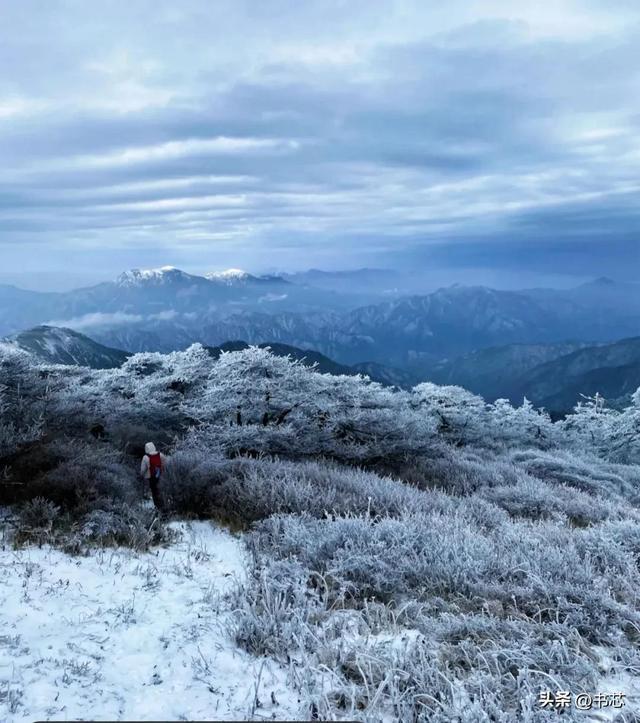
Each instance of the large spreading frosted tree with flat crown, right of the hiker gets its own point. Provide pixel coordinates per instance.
(257, 401)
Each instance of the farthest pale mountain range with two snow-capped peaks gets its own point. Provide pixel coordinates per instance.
(150, 298)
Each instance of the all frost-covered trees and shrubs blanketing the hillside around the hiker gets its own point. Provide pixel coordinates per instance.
(416, 555)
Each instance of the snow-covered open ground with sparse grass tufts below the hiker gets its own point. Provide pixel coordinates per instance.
(120, 635)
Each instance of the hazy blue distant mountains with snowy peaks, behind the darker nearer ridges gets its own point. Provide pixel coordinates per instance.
(164, 309)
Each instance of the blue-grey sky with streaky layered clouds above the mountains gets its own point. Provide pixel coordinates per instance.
(485, 139)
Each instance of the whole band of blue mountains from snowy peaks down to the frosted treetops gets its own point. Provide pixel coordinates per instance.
(496, 343)
